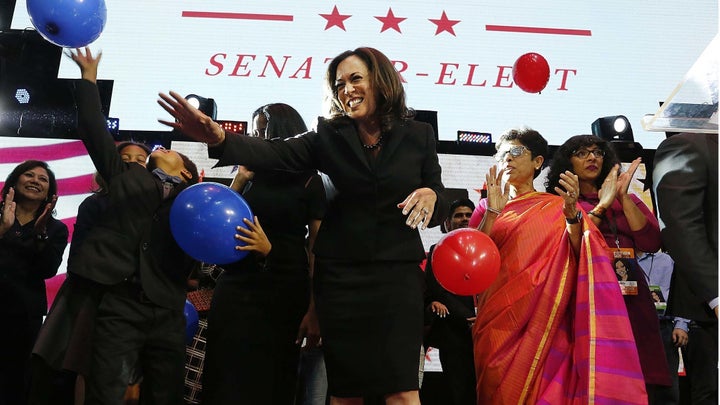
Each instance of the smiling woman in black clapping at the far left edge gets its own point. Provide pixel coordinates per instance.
(32, 243)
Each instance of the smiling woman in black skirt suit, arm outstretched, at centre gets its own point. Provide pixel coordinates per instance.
(368, 284)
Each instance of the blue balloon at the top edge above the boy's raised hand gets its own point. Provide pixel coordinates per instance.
(68, 23)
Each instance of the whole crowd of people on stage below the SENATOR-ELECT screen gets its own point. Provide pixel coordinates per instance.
(333, 268)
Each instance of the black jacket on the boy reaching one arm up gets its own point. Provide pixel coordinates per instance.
(132, 235)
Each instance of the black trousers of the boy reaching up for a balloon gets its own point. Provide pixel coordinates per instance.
(129, 332)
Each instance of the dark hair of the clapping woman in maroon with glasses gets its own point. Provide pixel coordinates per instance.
(561, 159)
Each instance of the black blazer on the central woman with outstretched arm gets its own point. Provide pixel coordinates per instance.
(362, 222)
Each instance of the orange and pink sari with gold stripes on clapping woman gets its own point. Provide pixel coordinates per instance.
(553, 329)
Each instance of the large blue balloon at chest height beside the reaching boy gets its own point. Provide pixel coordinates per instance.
(203, 220)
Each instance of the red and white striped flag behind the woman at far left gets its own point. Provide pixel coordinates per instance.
(73, 169)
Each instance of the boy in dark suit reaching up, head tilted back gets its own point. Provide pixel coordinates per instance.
(133, 260)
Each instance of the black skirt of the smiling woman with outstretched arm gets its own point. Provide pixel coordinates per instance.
(371, 320)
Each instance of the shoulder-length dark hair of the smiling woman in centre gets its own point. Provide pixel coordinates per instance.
(383, 77)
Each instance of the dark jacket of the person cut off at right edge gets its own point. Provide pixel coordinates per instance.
(685, 179)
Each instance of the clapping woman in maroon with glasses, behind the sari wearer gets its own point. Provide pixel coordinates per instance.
(625, 222)
